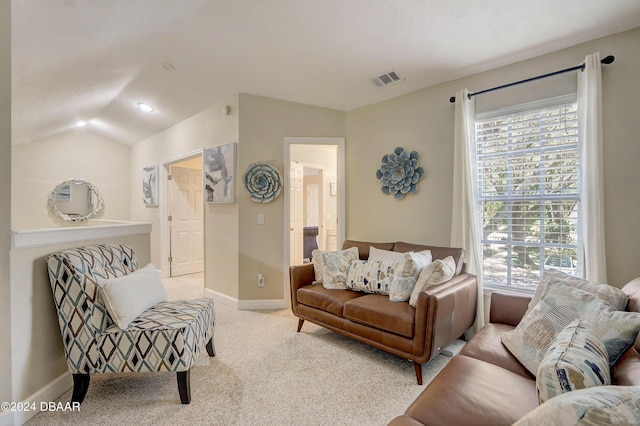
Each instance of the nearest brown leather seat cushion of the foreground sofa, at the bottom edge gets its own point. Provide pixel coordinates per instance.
(473, 392)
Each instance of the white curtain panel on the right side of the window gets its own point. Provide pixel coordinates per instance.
(590, 135)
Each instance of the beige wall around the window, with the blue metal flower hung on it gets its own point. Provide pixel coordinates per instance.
(423, 121)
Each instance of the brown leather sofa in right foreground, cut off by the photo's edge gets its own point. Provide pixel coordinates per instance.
(486, 385)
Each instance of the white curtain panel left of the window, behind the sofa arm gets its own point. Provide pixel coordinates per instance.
(464, 227)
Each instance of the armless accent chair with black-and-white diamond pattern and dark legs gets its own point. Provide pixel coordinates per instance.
(169, 336)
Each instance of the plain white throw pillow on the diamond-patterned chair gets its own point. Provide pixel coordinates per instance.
(128, 296)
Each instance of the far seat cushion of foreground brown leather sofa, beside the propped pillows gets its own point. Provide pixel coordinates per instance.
(487, 346)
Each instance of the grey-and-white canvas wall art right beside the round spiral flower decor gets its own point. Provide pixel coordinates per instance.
(219, 164)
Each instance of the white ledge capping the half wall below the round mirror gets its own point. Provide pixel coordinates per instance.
(21, 239)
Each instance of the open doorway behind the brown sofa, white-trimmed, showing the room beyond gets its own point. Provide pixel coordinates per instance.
(314, 172)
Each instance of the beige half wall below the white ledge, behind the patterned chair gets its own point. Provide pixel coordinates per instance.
(37, 352)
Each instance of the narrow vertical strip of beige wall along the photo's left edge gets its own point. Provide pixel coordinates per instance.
(5, 207)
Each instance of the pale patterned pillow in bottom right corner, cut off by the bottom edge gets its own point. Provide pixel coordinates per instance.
(602, 405)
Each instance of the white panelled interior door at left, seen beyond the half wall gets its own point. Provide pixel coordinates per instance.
(187, 244)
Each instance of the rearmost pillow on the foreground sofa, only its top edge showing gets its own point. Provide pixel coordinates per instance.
(609, 294)
